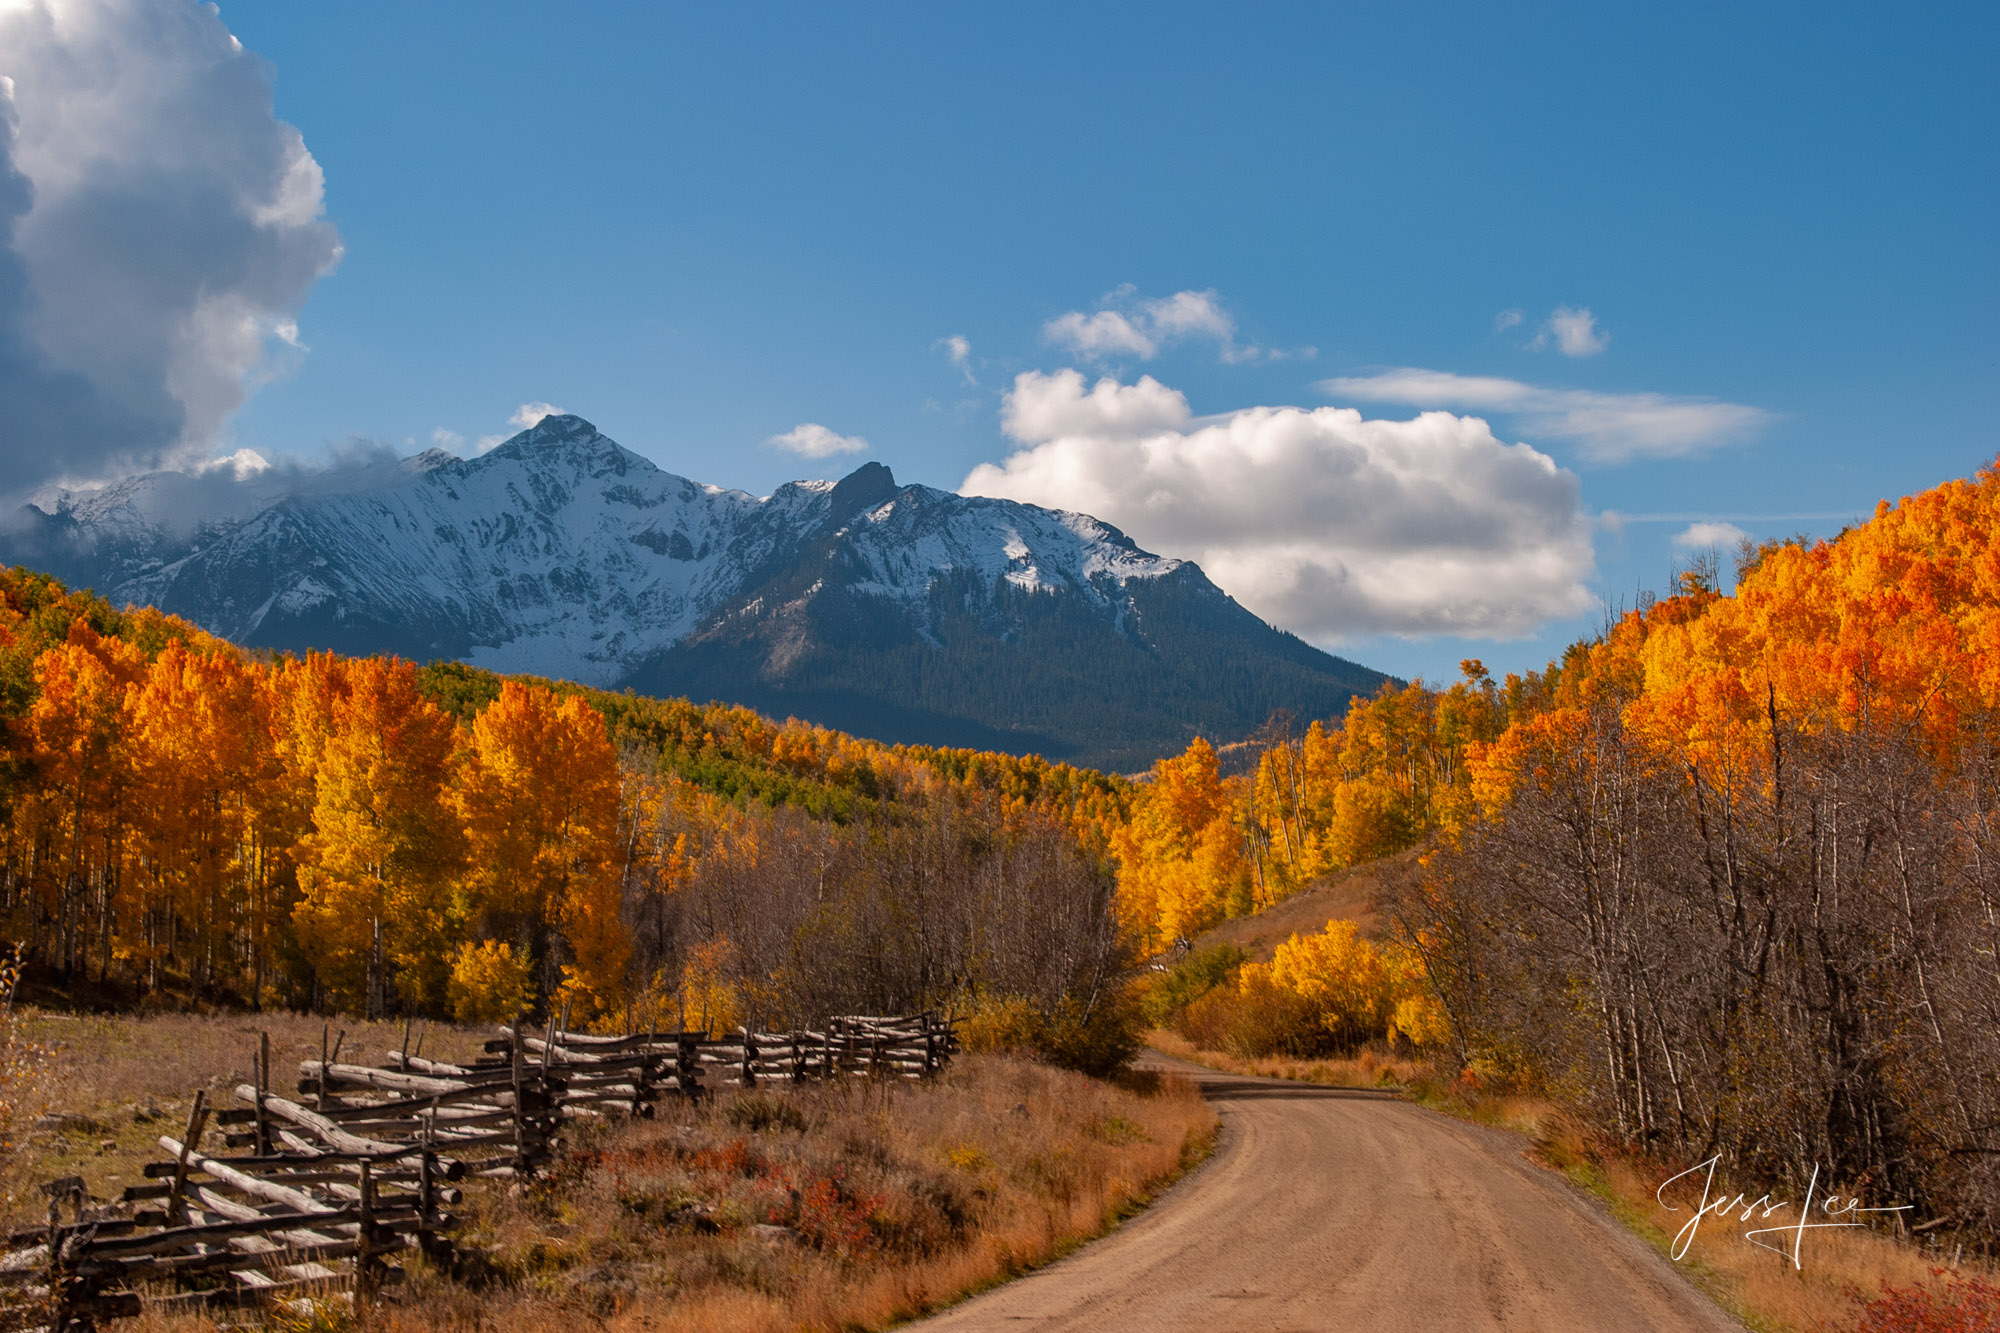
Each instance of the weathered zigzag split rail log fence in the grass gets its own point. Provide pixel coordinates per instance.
(315, 1198)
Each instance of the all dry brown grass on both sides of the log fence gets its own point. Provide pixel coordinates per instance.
(843, 1208)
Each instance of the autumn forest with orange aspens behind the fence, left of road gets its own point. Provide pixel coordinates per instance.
(185, 820)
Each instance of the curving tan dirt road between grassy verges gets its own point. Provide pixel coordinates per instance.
(1355, 1212)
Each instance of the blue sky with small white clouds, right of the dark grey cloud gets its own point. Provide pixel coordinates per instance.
(703, 227)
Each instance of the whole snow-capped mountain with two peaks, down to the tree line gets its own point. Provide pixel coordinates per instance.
(897, 611)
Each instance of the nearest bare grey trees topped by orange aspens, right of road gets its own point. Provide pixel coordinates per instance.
(1731, 882)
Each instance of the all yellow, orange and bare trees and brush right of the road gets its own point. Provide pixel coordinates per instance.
(1719, 884)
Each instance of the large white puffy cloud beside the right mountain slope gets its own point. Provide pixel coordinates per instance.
(1321, 521)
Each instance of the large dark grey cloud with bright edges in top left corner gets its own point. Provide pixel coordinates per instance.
(159, 231)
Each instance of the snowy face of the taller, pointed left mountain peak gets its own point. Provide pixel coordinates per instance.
(557, 553)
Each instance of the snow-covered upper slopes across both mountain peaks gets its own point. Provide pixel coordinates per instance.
(557, 553)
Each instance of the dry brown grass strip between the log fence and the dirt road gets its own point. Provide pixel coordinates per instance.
(825, 1210)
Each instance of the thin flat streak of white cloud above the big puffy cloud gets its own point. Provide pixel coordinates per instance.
(1609, 427)
